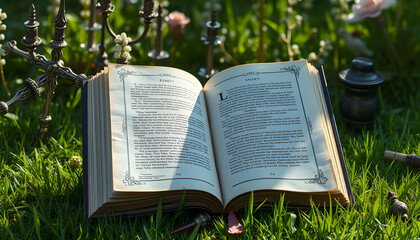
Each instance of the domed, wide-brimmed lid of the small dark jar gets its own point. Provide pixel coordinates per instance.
(362, 72)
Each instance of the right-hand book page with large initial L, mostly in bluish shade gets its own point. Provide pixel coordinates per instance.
(267, 130)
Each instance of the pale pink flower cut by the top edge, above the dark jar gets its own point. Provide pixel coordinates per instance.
(368, 9)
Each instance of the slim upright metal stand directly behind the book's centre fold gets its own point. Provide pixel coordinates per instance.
(211, 40)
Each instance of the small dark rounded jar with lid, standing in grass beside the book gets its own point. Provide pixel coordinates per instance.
(360, 102)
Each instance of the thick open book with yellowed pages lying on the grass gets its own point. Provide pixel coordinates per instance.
(154, 133)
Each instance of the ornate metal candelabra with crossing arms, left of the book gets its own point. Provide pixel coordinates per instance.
(54, 69)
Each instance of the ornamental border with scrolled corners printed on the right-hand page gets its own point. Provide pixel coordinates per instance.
(295, 70)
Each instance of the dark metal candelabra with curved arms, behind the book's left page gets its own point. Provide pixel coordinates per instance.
(106, 7)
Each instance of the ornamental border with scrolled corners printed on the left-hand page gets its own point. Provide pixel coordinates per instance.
(128, 179)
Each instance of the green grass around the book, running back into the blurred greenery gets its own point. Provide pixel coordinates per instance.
(41, 193)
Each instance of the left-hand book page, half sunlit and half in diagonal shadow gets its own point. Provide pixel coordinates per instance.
(160, 133)
